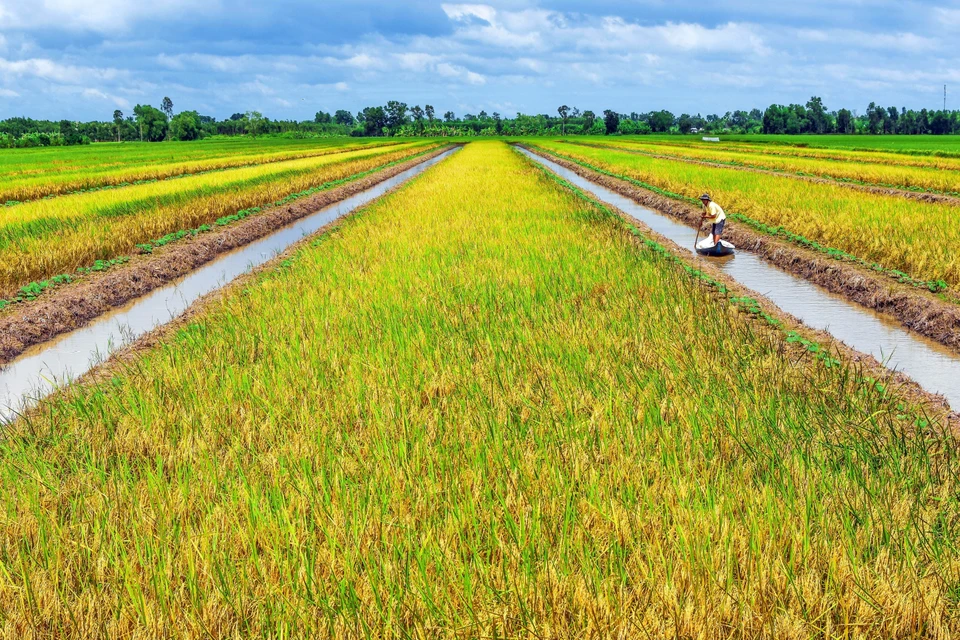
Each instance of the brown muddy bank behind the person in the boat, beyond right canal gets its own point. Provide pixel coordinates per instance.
(916, 310)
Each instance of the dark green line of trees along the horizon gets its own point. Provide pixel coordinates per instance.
(396, 118)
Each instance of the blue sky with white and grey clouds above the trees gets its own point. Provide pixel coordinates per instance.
(81, 59)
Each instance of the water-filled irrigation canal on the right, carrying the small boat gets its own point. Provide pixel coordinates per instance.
(928, 363)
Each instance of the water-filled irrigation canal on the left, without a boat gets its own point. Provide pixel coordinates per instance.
(44, 368)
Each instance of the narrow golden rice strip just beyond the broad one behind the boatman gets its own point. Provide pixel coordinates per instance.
(926, 180)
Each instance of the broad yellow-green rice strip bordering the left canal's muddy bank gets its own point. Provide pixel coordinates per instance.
(42, 239)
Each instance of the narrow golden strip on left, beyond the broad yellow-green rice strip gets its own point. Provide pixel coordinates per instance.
(15, 189)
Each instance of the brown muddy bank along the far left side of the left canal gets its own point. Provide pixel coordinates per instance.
(73, 306)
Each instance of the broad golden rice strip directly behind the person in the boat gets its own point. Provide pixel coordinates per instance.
(914, 239)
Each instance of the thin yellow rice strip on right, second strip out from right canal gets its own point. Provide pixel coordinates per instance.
(862, 170)
